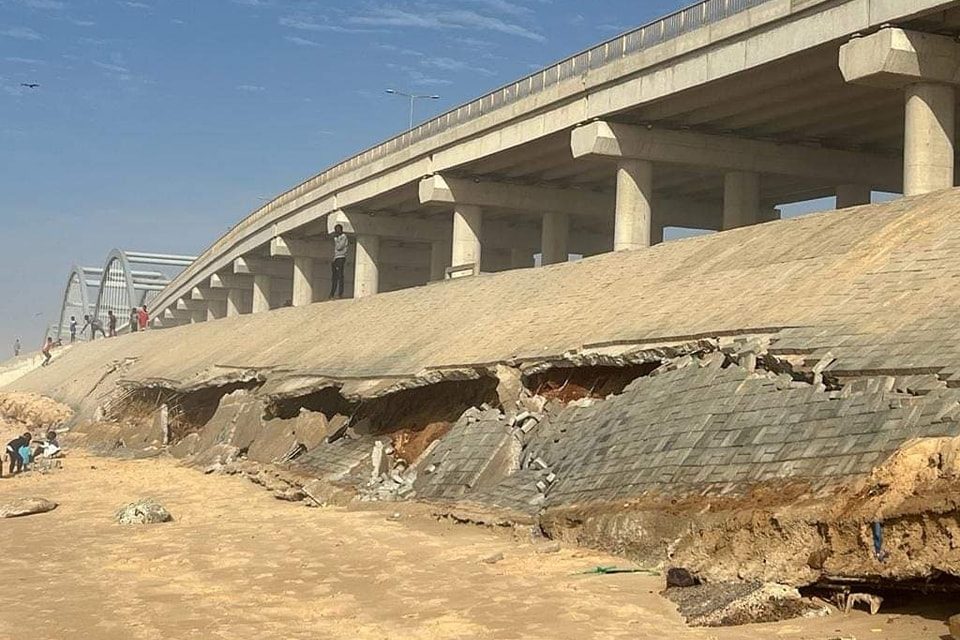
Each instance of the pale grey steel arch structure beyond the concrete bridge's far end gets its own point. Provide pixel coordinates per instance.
(127, 280)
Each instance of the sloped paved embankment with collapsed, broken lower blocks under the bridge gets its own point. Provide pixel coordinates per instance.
(758, 404)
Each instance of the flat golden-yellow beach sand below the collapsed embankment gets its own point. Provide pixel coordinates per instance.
(239, 564)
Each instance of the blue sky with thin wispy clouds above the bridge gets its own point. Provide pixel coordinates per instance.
(158, 124)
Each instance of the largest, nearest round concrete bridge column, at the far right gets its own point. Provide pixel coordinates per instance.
(928, 144)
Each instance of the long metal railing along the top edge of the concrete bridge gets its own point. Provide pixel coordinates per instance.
(654, 33)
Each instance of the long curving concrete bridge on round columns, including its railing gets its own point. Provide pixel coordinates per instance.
(708, 119)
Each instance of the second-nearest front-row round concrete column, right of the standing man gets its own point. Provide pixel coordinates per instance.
(634, 205)
